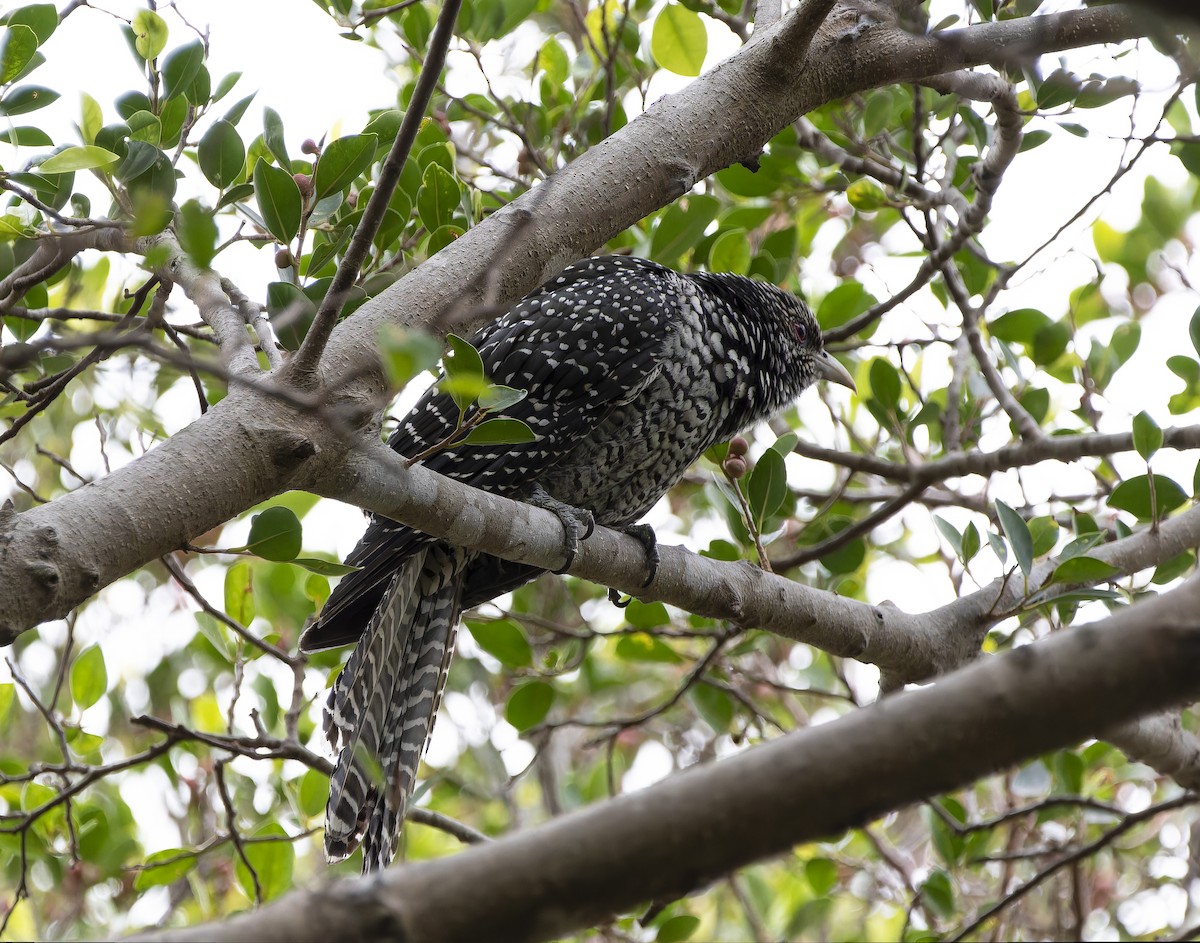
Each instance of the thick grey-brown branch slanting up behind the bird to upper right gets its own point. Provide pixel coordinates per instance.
(251, 447)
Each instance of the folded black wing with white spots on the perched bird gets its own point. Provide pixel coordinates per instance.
(583, 345)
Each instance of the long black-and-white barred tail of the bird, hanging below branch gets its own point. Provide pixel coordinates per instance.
(382, 706)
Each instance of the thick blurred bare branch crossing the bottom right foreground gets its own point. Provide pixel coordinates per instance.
(683, 834)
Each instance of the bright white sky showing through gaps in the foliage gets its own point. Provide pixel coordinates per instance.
(321, 83)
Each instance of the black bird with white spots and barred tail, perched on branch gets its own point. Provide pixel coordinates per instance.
(632, 371)
